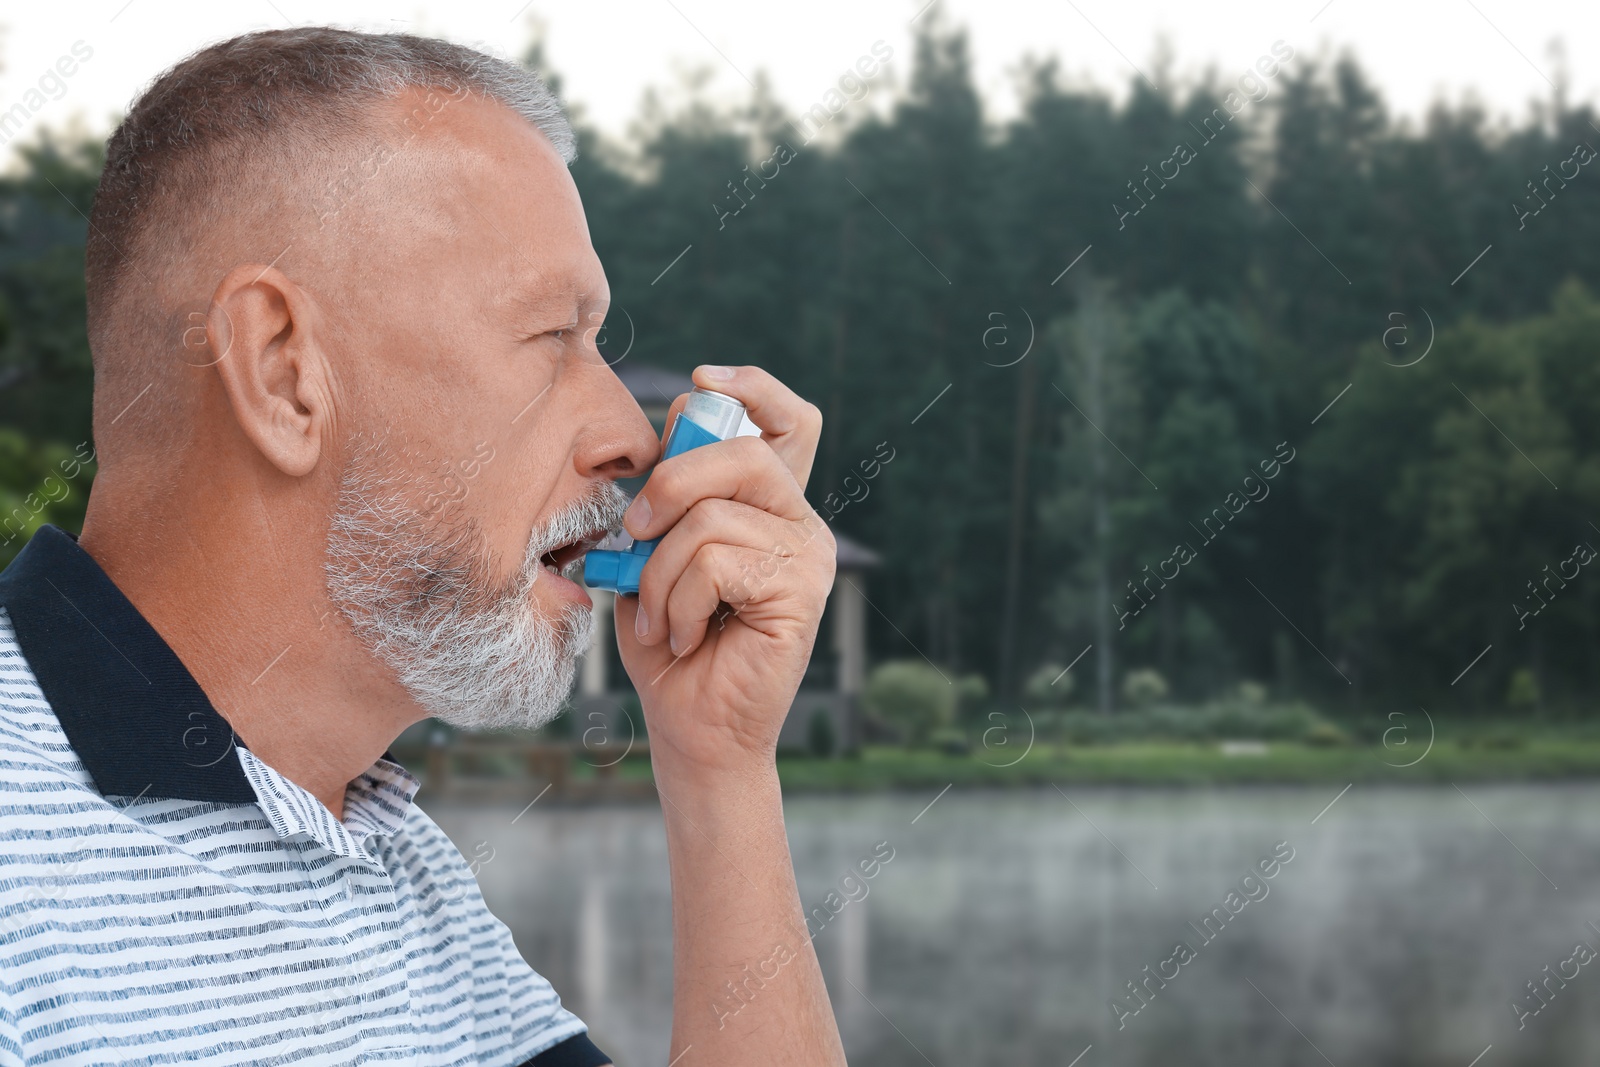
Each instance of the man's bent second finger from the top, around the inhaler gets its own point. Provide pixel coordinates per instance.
(740, 470)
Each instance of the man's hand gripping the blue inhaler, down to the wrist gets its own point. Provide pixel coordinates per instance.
(729, 604)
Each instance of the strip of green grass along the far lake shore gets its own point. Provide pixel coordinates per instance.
(1174, 764)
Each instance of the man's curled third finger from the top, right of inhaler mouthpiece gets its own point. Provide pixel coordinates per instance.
(718, 522)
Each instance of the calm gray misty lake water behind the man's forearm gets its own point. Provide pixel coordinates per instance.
(1402, 930)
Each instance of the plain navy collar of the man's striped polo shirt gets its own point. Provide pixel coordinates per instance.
(138, 721)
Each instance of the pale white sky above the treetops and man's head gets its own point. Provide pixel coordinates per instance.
(1506, 54)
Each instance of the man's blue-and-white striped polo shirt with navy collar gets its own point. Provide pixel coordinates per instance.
(169, 897)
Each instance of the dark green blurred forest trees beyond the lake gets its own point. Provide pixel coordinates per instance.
(1090, 335)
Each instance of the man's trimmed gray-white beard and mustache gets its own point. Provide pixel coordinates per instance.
(420, 594)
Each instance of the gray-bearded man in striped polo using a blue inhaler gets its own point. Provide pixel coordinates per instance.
(351, 425)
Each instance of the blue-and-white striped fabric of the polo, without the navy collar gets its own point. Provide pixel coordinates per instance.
(148, 930)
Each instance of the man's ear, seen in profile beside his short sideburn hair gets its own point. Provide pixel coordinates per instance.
(273, 370)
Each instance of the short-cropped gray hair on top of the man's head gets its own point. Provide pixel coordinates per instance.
(252, 102)
